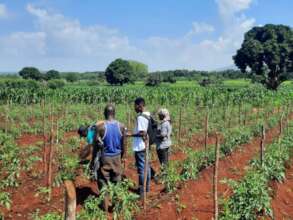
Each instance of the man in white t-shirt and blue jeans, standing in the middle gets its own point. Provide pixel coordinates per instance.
(140, 140)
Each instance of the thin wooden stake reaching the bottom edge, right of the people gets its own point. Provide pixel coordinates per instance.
(216, 168)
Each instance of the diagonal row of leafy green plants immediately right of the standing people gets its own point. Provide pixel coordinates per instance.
(198, 160)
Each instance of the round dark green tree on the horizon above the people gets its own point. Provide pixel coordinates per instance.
(119, 72)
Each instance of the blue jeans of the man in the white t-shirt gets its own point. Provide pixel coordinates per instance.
(140, 162)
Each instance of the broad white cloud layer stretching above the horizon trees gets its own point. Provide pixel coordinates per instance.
(64, 44)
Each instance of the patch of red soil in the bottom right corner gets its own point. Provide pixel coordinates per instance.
(283, 196)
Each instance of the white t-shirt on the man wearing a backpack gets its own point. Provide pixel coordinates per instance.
(141, 125)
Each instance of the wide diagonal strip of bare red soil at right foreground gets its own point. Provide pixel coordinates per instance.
(196, 197)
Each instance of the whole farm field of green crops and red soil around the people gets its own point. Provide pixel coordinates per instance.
(40, 150)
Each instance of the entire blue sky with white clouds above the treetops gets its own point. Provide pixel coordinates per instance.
(86, 35)
